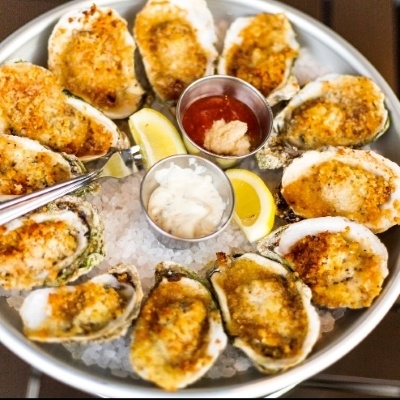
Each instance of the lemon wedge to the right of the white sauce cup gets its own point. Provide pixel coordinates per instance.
(254, 204)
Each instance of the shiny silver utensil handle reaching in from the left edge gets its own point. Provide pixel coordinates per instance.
(21, 205)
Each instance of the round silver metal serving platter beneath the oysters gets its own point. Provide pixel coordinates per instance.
(323, 49)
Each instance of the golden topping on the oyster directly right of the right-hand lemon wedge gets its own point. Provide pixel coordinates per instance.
(343, 190)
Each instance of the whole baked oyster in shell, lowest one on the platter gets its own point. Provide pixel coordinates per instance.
(179, 334)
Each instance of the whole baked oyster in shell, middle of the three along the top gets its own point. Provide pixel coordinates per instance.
(176, 40)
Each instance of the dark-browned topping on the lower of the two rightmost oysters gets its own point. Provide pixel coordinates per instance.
(340, 271)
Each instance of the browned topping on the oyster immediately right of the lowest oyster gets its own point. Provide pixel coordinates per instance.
(266, 311)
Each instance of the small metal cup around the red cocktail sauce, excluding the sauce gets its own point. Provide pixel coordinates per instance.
(217, 85)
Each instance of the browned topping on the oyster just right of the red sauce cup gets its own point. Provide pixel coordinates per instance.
(346, 112)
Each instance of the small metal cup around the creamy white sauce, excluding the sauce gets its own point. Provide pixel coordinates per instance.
(219, 179)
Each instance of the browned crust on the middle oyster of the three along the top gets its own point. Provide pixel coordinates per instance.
(172, 55)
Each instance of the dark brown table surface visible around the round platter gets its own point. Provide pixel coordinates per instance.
(376, 358)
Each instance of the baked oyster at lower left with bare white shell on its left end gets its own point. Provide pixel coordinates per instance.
(97, 310)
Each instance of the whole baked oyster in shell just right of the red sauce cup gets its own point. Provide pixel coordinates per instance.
(333, 110)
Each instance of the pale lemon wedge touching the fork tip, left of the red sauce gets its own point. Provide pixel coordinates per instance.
(156, 135)
